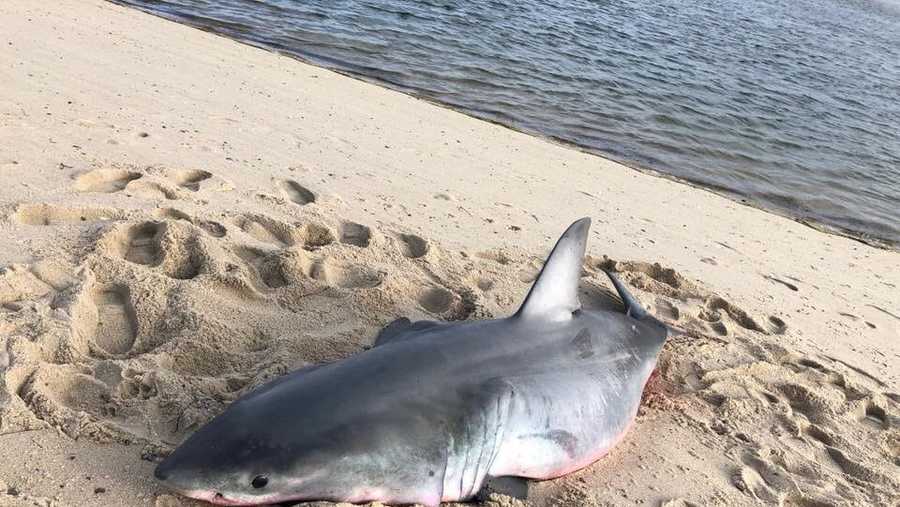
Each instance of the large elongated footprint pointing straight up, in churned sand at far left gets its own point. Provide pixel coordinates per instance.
(116, 324)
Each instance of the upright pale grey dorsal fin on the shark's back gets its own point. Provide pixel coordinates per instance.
(554, 295)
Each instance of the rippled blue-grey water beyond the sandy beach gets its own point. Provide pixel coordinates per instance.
(793, 105)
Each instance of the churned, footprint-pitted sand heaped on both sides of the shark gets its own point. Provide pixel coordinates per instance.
(142, 324)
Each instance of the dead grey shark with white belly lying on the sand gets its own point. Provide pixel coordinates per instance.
(434, 409)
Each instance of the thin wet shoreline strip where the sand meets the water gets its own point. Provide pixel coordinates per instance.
(737, 197)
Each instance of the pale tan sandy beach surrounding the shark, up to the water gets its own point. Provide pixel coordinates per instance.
(184, 217)
